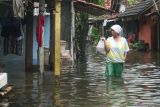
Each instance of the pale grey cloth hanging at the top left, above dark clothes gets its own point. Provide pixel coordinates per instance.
(18, 8)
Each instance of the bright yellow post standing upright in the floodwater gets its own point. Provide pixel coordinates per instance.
(55, 26)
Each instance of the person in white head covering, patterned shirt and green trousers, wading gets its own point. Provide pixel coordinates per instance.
(116, 51)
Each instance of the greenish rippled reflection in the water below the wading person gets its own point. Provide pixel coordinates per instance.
(116, 92)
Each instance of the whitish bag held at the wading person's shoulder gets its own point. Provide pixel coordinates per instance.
(100, 48)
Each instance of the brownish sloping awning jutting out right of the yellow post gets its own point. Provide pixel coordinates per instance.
(90, 8)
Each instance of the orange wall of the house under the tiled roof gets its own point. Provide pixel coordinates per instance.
(145, 31)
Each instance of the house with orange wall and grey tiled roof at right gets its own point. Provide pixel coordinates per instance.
(142, 21)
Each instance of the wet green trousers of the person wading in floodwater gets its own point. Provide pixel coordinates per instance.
(113, 69)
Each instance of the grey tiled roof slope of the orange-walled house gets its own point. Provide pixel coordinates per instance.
(137, 9)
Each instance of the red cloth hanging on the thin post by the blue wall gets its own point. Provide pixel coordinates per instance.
(39, 30)
